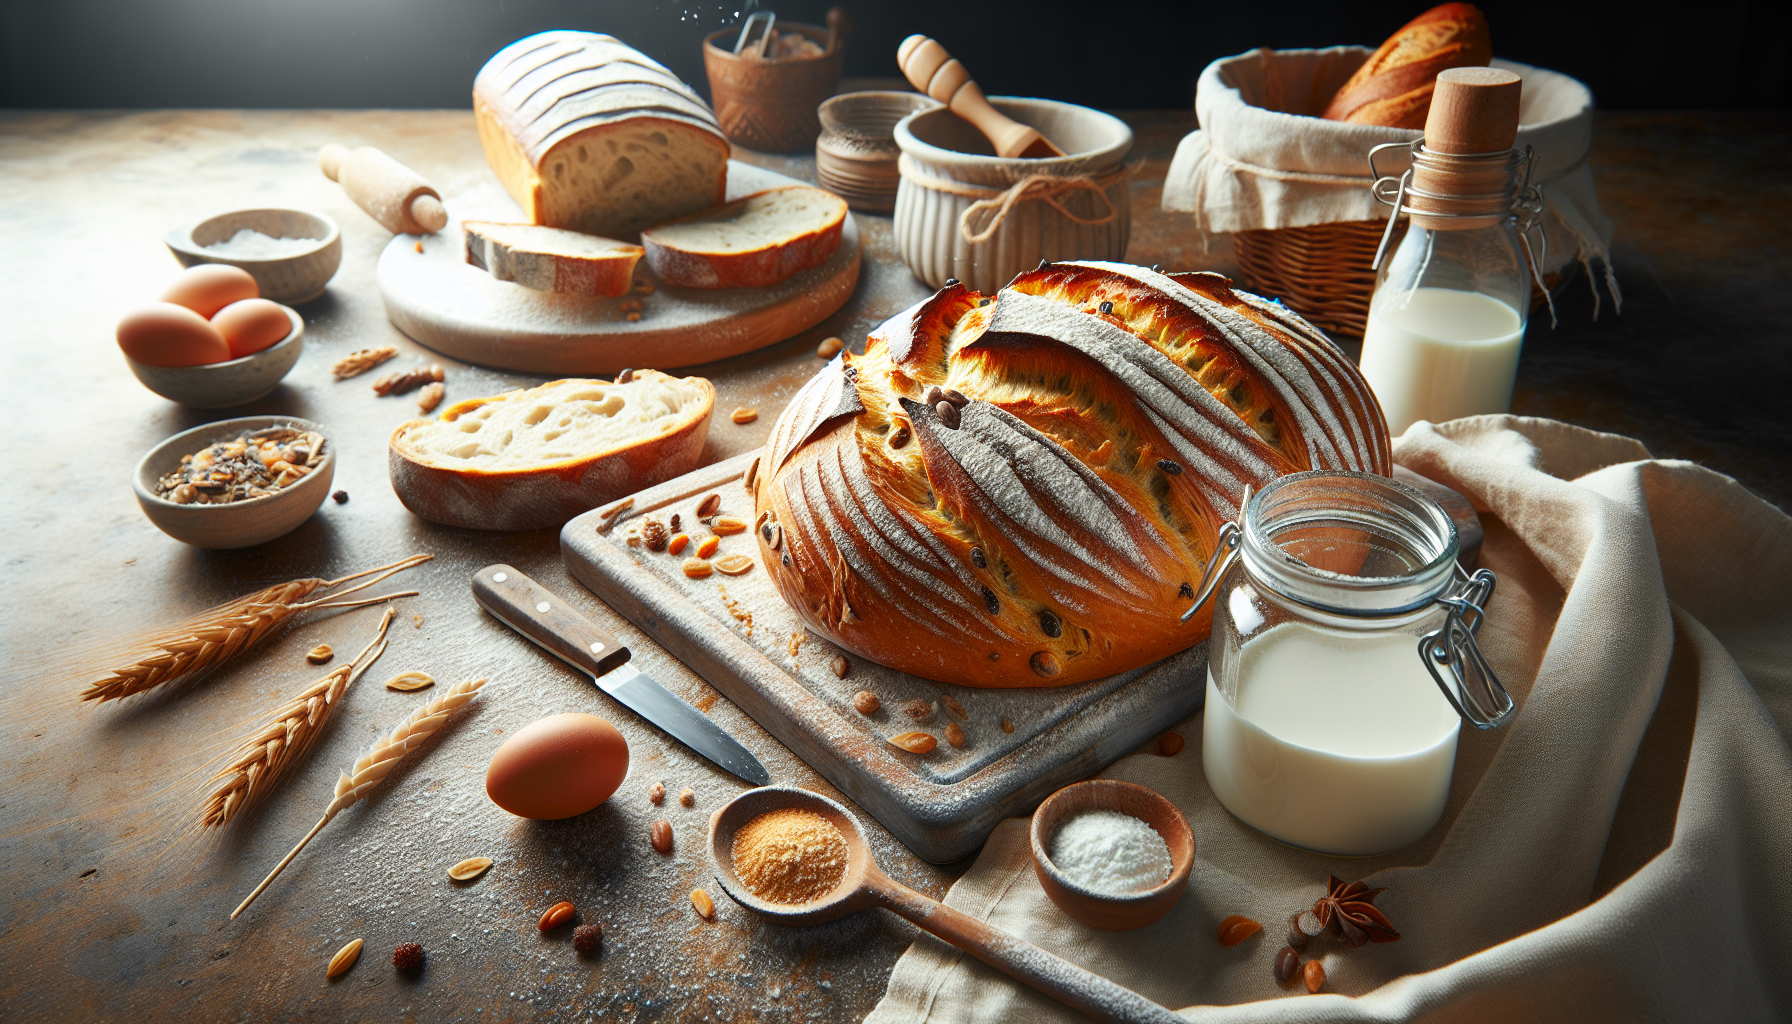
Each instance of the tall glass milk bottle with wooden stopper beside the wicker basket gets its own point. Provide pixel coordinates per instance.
(1451, 304)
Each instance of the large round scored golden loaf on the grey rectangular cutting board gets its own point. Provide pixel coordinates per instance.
(1024, 490)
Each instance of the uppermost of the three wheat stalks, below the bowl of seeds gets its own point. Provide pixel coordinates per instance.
(207, 641)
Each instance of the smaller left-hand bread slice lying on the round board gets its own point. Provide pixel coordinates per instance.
(553, 259)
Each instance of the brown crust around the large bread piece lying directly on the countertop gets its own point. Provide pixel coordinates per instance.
(547, 496)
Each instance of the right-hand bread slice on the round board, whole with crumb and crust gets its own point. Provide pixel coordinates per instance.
(750, 243)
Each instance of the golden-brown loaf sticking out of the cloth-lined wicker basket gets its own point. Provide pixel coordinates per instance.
(1395, 87)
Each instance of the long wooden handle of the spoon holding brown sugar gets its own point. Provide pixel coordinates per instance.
(1024, 962)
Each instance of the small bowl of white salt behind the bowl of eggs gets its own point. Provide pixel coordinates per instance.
(291, 254)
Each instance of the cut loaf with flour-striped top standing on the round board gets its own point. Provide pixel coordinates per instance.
(590, 134)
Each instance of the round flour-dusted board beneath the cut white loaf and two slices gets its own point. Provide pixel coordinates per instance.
(442, 302)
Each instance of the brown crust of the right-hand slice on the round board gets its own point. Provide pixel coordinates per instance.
(748, 268)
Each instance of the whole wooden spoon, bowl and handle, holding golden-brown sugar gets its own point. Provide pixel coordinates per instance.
(866, 887)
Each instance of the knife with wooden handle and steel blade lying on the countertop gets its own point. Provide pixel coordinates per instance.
(535, 612)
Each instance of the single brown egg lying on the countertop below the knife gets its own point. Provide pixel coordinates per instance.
(558, 767)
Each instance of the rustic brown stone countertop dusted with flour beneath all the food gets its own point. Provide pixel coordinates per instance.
(117, 908)
